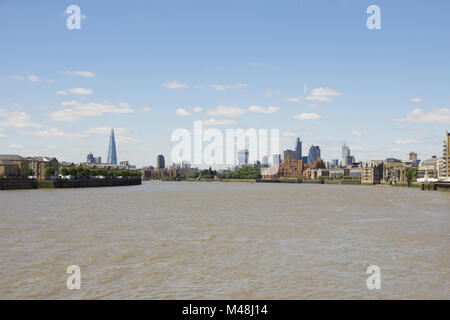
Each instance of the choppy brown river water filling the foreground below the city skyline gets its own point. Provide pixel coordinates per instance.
(225, 241)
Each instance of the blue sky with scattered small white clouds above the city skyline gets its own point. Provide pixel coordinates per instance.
(311, 69)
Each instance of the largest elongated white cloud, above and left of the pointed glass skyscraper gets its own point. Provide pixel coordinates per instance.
(76, 110)
